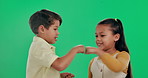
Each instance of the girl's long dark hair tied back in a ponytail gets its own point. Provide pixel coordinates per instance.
(117, 28)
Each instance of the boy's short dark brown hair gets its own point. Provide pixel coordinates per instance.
(43, 17)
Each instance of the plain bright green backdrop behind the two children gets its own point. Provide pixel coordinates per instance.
(79, 21)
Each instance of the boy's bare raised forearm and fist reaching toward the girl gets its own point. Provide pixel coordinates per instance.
(62, 63)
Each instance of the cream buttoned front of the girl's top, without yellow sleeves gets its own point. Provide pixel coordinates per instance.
(100, 70)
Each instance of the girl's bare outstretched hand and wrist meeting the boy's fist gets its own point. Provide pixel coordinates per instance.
(93, 50)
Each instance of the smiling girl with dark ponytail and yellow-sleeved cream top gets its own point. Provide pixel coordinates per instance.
(113, 60)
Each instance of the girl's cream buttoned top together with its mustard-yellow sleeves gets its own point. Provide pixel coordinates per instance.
(110, 65)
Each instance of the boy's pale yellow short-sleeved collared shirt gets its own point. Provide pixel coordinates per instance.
(41, 56)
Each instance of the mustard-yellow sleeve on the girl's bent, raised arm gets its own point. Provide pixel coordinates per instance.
(116, 64)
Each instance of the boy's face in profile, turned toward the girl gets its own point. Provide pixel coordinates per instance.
(51, 34)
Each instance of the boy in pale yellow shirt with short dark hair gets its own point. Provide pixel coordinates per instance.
(42, 60)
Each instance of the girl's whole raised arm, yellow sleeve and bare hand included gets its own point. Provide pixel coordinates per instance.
(115, 64)
